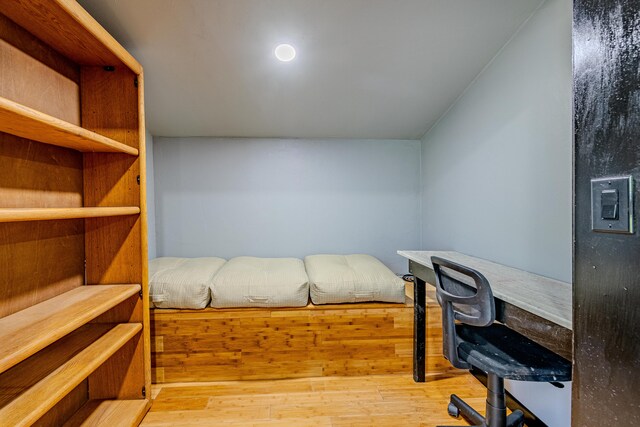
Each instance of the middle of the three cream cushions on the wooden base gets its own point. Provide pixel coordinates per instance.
(260, 282)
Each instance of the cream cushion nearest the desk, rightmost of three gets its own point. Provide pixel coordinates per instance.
(351, 278)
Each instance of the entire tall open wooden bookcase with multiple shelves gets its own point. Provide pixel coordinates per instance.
(74, 319)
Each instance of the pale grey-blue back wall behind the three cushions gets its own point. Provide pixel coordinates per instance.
(277, 198)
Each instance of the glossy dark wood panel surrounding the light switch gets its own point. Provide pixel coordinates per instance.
(606, 266)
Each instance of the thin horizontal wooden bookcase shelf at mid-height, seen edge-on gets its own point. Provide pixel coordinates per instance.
(43, 214)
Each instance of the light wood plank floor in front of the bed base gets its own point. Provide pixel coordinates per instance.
(382, 400)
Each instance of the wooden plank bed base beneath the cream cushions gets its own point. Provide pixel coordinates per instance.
(313, 341)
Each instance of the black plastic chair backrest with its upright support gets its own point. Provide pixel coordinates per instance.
(465, 296)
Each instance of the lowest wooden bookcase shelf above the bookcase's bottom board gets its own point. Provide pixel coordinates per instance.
(42, 396)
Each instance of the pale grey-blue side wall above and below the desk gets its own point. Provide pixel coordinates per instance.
(496, 169)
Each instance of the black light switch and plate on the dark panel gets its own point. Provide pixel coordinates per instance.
(612, 204)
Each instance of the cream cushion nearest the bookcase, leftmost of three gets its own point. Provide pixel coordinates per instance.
(182, 282)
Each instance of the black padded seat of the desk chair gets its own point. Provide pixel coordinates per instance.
(508, 354)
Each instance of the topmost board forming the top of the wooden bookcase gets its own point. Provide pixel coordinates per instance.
(65, 25)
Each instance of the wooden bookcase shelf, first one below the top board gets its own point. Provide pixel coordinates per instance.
(26, 122)
